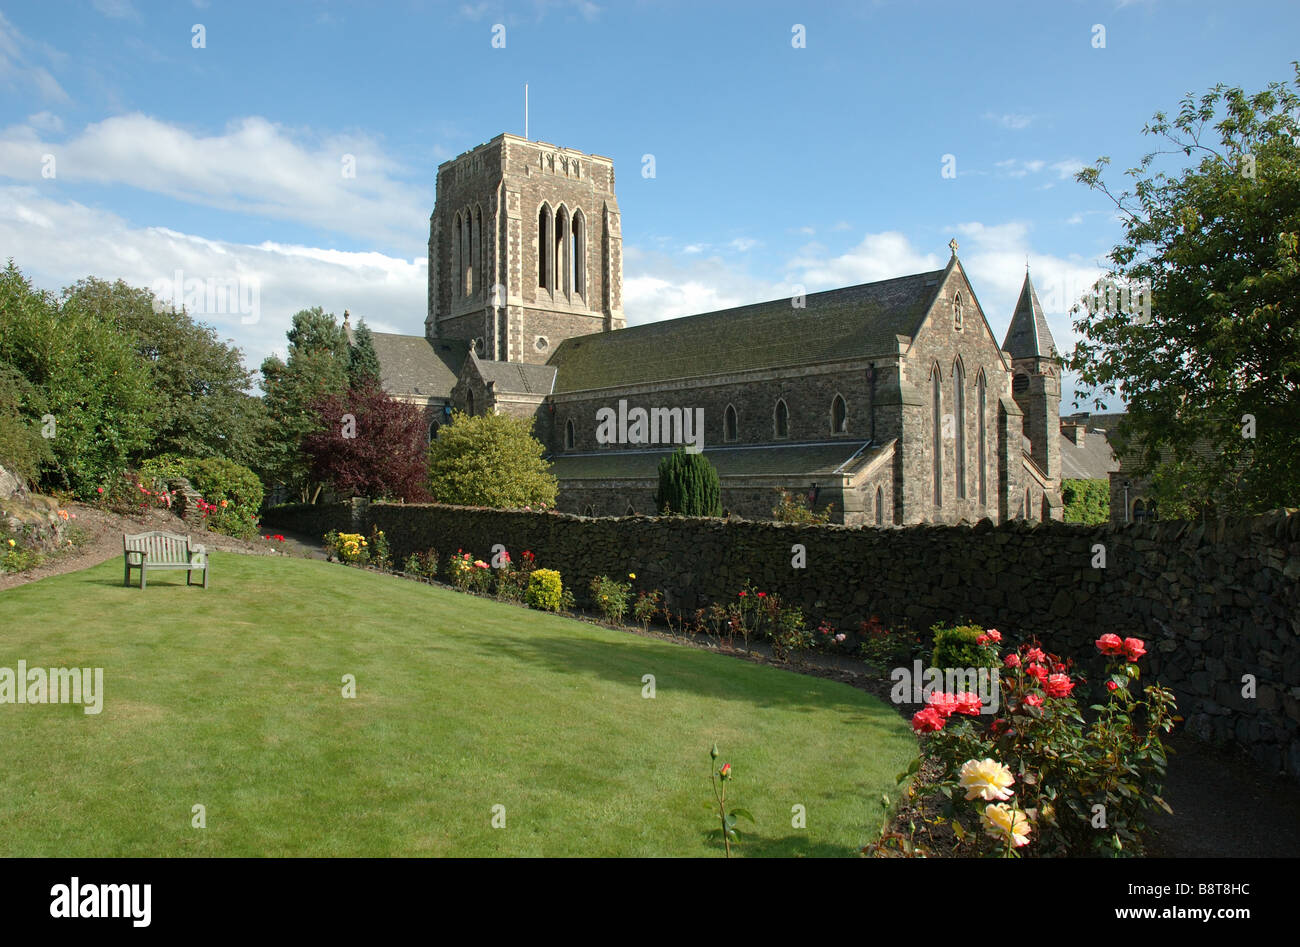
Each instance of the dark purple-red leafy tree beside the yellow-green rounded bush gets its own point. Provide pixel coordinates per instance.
(370, 446)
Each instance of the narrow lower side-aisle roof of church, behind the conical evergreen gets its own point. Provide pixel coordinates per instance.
(787, 461)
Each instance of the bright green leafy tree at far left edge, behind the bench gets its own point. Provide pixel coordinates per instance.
(86, 382)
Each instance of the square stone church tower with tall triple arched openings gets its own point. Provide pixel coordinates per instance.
(526, 250)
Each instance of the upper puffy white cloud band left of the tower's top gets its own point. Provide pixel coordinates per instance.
(254, 167)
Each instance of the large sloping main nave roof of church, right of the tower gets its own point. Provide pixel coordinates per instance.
(853, 322)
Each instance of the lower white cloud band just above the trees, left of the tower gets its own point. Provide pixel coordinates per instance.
(60, 243)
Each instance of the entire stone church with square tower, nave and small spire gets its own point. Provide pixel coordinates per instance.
(892, 401)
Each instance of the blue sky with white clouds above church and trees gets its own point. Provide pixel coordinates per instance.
(774, 166)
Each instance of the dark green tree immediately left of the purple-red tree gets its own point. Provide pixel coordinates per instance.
(317, 369)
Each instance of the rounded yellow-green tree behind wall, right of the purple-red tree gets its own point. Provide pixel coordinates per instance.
(491, 461)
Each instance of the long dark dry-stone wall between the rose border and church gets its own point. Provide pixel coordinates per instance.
(1214, 602)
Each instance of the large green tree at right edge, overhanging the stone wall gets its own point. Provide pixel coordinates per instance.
(1211, 370)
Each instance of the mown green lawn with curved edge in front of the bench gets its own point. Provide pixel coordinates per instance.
(232, 698)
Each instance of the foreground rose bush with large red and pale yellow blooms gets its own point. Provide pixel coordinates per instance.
(1063, 767)
